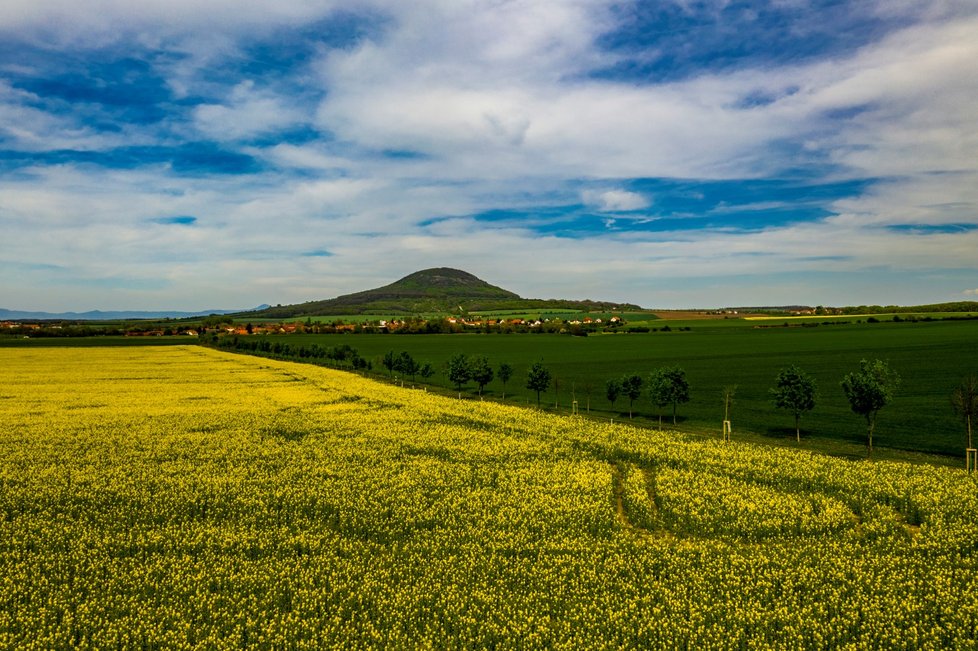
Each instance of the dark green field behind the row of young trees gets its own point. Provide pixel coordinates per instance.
(931, 358)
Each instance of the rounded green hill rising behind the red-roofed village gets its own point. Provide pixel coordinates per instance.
(439, 290)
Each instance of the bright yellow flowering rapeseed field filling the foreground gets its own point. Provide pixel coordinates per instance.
(180, 497)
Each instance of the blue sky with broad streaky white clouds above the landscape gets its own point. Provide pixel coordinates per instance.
(221, 154)
